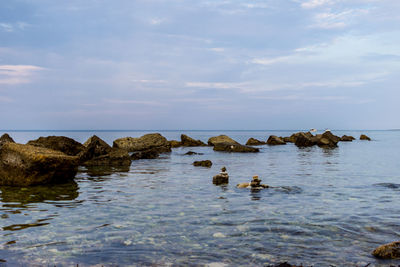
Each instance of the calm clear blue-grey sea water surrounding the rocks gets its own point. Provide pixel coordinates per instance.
(329, 207)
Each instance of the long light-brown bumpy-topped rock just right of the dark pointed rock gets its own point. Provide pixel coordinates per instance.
(146, 142)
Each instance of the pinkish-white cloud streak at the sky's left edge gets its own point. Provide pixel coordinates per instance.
(17, 74)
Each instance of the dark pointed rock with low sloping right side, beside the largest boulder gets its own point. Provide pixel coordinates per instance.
(99, 153)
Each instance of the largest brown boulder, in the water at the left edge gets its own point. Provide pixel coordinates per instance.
(25, 165)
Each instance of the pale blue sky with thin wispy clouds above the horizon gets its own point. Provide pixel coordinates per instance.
(199, 64)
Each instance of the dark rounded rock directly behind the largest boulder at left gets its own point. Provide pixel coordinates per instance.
(59, 143)
